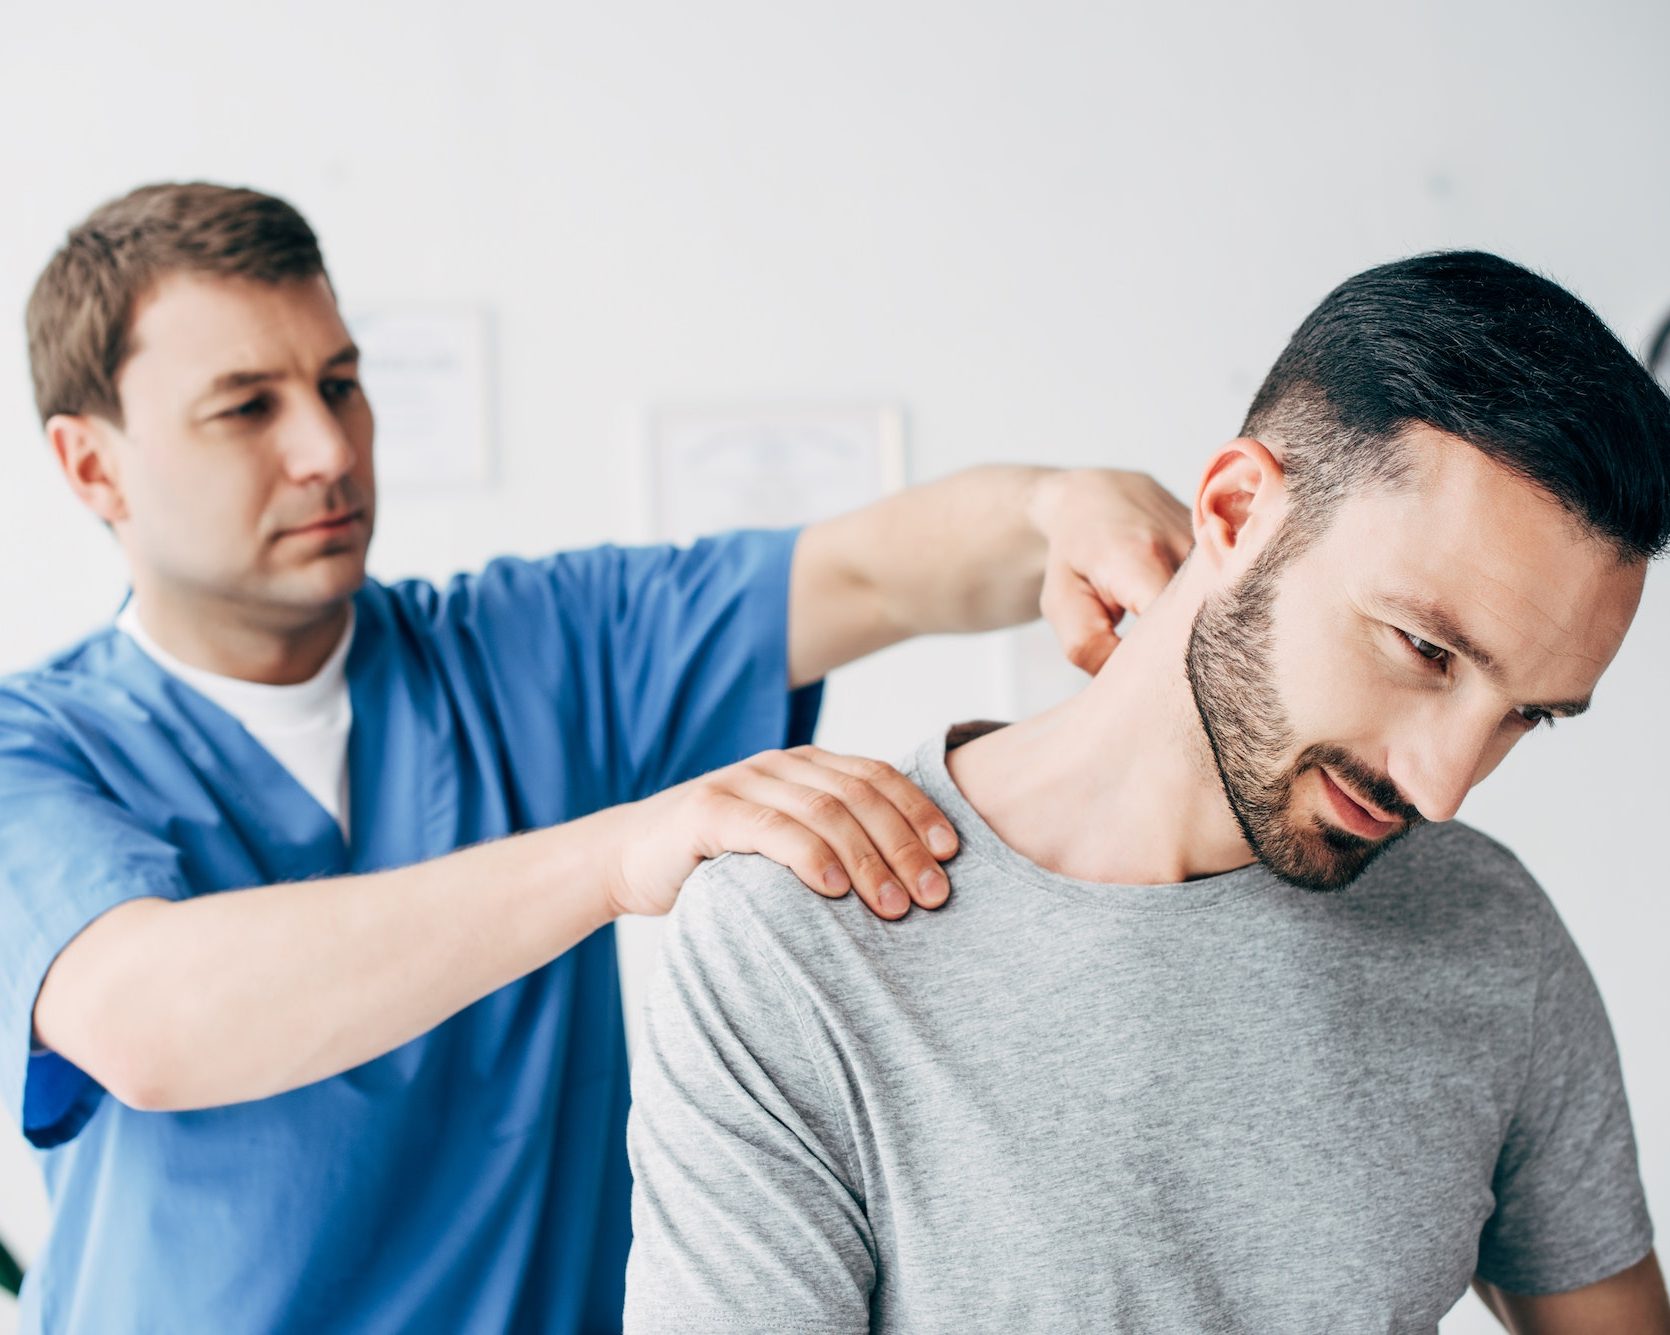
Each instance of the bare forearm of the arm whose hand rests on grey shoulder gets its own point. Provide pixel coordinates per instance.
(250, 993)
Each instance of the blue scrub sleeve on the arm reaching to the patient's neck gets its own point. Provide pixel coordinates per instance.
(665, 662)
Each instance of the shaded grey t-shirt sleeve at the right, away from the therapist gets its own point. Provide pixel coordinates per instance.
(1571, 1209)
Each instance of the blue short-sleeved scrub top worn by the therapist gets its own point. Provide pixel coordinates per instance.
(473, 1180)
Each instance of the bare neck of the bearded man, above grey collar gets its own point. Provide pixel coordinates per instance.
(1116, 784)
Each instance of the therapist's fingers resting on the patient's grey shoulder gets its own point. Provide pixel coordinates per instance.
(879, 851)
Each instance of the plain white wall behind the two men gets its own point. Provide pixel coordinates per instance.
(1070, 233)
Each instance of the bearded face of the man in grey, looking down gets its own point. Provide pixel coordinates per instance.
(1365, 671)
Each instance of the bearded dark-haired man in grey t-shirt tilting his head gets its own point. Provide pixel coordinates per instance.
(1222, 1028)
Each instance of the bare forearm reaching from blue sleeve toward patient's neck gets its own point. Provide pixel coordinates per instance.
(956, 556)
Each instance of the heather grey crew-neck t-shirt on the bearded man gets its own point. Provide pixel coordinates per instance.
(1068, 1107)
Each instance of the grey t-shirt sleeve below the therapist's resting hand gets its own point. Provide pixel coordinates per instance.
(747, 1216)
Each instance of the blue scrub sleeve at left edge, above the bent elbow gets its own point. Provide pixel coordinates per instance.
(71, 853)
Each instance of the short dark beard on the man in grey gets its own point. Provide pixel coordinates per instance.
(1248, 729)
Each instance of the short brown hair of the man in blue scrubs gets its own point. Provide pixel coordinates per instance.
(83, 305)
